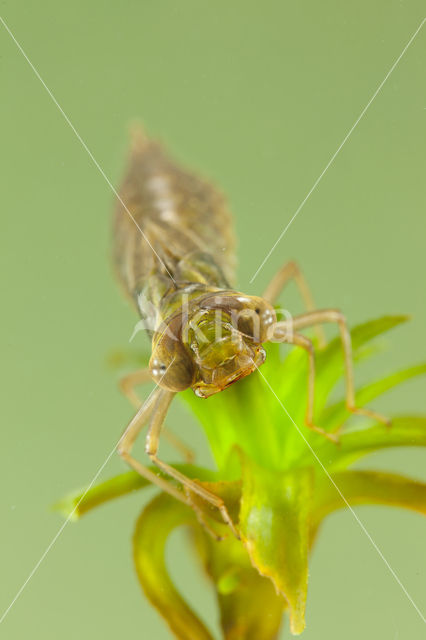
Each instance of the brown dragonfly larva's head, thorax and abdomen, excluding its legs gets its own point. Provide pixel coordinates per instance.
(174, 250)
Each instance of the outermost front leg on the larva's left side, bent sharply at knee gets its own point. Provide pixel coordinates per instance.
(128, 439)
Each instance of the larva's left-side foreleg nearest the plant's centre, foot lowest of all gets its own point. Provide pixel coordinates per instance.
(151, 448)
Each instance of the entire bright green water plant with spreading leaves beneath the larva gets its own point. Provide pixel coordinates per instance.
(279, 481)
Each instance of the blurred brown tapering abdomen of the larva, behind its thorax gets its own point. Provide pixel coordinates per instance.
(169, 213)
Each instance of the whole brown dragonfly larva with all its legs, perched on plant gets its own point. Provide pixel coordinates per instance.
(174, 253)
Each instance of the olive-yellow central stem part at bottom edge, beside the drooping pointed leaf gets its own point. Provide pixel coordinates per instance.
(241, 592)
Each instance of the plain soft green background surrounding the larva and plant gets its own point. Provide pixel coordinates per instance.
(258, 96)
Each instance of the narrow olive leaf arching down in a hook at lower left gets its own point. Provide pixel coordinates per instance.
(153, 527)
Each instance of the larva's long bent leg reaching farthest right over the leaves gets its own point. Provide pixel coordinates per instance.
(334, 315)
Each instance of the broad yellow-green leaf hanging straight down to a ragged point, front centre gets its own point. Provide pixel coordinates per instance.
(274, 527)
